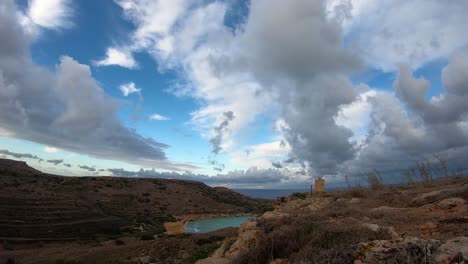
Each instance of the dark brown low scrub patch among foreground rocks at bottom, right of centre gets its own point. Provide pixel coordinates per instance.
(308, 240)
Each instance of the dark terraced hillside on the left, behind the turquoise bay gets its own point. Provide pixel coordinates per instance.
(38, 206)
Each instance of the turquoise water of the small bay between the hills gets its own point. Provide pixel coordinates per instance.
(212, 224)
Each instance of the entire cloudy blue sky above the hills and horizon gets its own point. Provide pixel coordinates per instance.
(243, 94)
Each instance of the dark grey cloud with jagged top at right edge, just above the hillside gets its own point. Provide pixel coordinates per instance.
(406, 128)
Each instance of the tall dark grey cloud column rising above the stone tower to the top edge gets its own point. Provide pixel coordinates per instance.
(304, 64)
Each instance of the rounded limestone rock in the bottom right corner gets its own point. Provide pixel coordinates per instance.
(453, 251)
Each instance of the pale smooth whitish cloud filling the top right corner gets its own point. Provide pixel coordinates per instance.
(389, 32)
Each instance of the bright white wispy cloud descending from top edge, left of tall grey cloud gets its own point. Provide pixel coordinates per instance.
(192, 36)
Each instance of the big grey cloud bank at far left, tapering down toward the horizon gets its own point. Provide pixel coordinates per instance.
(67, 108)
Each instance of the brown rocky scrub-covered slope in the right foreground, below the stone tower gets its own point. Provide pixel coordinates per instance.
(426, 223)
